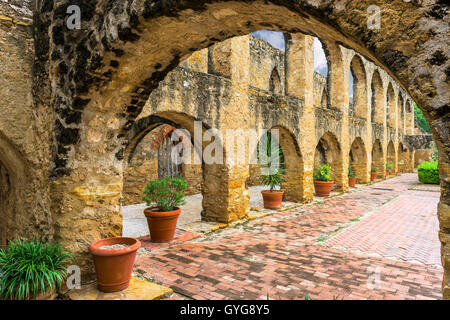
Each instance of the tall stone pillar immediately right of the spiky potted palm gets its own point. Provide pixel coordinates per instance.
(299, 59)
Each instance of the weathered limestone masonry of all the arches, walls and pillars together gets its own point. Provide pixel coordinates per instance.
(85, 112)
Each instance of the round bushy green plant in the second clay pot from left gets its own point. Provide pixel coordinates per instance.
(166, 193)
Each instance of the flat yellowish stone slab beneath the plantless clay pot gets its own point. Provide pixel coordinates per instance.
(139, 289)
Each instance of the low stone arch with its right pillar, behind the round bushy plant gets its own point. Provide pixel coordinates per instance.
(215, 182)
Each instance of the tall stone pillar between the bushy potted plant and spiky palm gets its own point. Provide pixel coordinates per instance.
(226, 197)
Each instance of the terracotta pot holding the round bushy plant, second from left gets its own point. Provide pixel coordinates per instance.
(161, 225)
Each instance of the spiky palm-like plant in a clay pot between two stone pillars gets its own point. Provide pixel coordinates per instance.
(275, 174)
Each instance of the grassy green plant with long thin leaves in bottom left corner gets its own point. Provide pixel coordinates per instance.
(28, 268)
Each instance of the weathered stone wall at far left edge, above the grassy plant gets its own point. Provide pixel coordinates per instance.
(25, 131)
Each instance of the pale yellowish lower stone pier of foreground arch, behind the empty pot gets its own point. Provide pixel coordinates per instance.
(86, 200)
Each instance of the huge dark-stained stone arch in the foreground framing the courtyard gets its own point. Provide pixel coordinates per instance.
(124, 50)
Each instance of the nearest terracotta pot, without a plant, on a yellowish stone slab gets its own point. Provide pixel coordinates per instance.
(114, 266)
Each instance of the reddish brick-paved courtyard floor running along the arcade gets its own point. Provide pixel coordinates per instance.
(339, 247)
